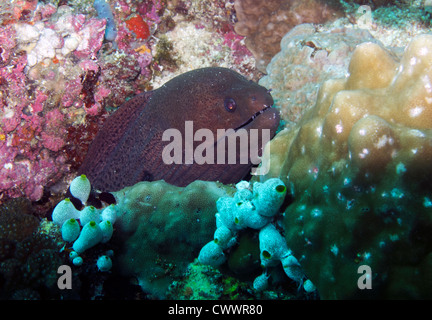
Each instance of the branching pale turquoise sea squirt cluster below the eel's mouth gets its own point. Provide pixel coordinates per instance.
(236, 213)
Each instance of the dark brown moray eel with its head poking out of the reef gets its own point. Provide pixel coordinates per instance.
(129, 147)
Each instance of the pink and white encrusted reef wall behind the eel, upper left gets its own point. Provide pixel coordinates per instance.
(64, 68)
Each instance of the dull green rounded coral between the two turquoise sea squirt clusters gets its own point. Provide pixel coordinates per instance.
(162, 228)
